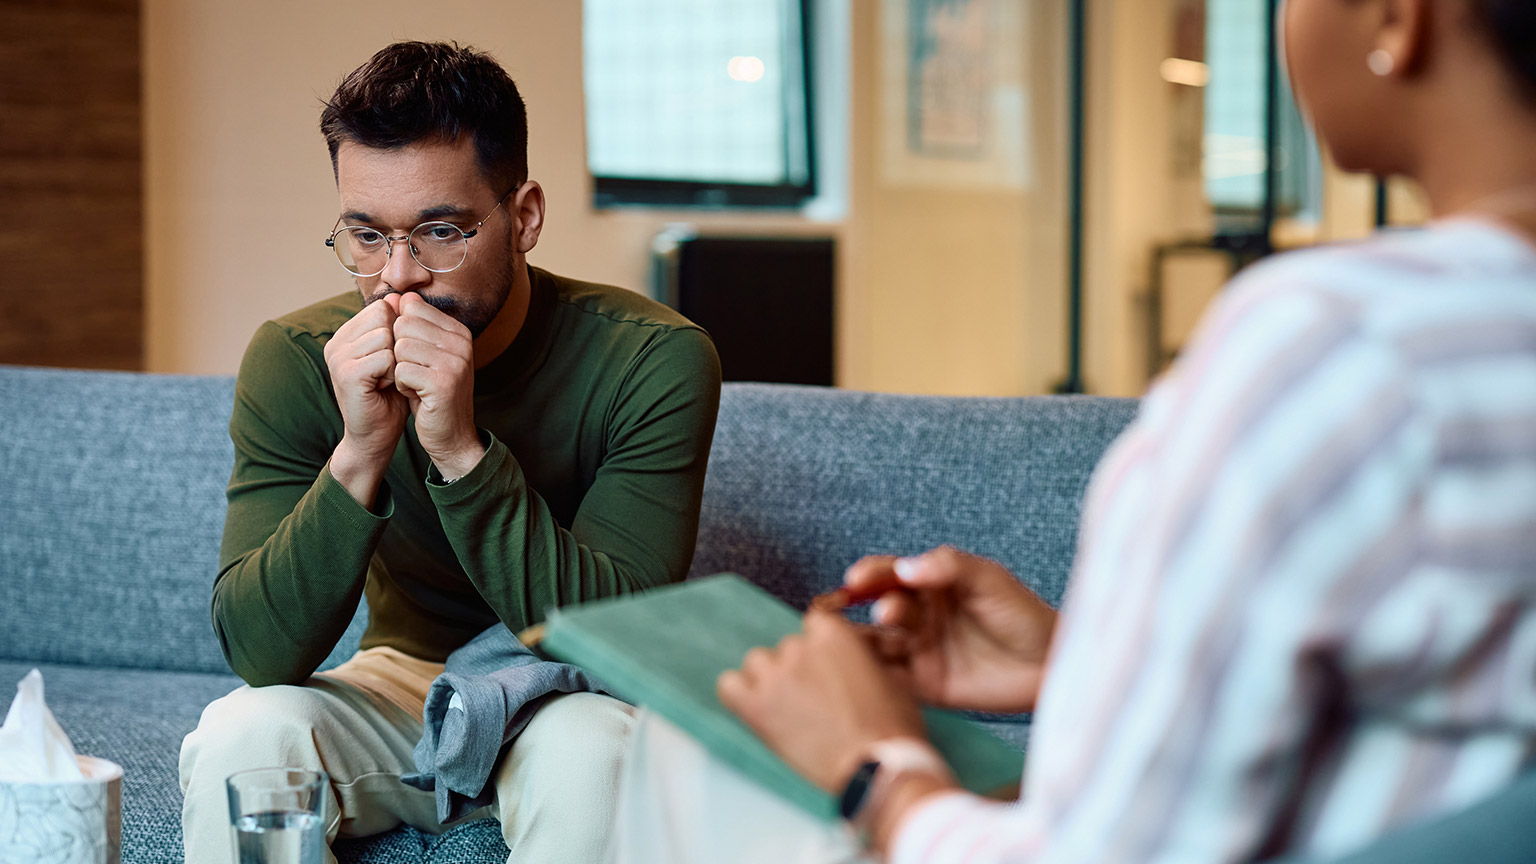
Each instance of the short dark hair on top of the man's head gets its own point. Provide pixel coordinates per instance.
(419, 91)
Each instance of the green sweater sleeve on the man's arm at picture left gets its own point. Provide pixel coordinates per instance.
(297, 547)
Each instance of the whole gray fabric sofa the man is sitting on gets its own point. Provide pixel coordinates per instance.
(113, 502)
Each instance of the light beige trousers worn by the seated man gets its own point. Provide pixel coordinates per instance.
(359, 723)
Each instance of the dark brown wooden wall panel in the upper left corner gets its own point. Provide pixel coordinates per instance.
(71, 191)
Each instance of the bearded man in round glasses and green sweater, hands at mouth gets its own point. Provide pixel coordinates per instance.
(465, 440)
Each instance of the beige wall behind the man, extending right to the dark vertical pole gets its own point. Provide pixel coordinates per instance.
(939, 291)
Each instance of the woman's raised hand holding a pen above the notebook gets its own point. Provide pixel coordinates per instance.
(964, 633)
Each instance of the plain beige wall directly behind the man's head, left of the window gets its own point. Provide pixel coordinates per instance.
(239, 187)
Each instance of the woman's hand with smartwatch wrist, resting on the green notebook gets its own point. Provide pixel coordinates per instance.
(821, 699)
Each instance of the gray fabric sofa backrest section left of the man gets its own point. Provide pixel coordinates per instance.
(111, 513)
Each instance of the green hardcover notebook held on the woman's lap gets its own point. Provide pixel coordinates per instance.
(664, 650)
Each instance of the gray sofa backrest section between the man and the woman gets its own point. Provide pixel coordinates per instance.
(804, 482)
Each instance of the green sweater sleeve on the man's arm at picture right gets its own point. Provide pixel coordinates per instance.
(638, 522)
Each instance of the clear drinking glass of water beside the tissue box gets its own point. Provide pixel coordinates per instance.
(279, 816)
